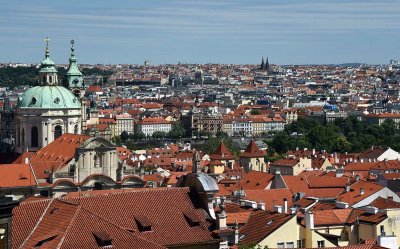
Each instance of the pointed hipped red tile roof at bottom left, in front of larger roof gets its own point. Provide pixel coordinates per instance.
(67, 225)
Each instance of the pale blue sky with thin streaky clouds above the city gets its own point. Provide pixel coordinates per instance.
(206, 31)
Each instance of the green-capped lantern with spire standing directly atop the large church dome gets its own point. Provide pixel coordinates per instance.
(47, 72)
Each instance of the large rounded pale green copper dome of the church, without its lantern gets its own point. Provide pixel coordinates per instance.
(49, 97)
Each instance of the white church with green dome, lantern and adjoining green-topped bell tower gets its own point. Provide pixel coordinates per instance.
(47, 111)
